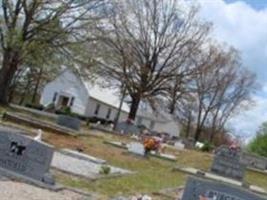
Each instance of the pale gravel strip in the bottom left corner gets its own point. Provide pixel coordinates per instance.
(10, 190)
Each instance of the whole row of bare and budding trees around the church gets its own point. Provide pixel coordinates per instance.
(159, 50)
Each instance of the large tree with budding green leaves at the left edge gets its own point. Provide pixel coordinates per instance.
(38, 29)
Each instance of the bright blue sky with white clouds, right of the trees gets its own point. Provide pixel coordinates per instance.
(243, 24)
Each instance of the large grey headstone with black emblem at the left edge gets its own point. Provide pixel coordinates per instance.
(23, 156)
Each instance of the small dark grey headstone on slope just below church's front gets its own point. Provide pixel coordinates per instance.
(69, 122)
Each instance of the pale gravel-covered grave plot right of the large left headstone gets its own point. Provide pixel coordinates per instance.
(81, 167)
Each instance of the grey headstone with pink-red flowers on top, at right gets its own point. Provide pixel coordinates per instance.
(227, 163)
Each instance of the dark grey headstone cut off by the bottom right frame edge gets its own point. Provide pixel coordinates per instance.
(201, 189)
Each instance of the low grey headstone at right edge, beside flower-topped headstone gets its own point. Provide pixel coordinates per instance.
(254, 161)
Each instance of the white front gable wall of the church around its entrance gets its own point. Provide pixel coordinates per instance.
(69, 85)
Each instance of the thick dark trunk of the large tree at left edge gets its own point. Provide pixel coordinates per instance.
(9, 67)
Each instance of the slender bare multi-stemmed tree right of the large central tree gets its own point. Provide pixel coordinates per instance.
(222, 87)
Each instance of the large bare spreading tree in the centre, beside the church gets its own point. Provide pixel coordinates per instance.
(146, 43)
